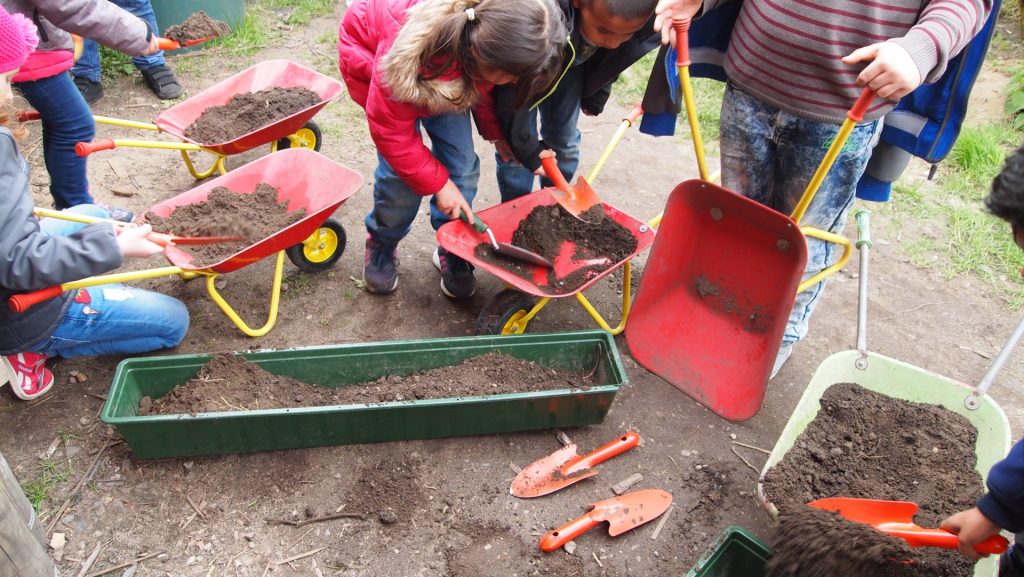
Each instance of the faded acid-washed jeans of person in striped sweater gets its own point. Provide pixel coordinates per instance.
(771, 155)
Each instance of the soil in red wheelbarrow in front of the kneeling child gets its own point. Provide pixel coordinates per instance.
(251, 217)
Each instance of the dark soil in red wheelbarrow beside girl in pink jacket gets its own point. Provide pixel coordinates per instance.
(598, 238)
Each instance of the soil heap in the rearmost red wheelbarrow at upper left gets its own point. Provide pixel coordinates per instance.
(245, 113)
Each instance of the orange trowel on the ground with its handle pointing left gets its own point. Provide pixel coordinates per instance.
(623, 514)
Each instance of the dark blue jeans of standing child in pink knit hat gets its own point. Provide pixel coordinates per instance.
(67, 120)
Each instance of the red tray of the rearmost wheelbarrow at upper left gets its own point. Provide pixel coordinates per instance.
(270, 74)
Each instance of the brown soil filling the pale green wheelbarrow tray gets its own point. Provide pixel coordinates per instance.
(866, 445)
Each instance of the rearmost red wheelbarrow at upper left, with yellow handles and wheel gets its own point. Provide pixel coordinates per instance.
(296, 131)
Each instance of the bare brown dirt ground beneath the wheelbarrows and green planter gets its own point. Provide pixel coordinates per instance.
(442, 508)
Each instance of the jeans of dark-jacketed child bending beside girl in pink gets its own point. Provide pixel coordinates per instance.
(559, 119)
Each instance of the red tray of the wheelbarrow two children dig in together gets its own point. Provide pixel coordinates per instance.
(462, 239)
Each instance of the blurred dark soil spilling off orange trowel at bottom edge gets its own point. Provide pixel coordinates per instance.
(805, 537)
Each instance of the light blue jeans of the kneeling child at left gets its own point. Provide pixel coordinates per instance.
(113, 319)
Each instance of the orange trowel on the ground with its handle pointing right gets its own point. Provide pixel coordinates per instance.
(565, 467)
